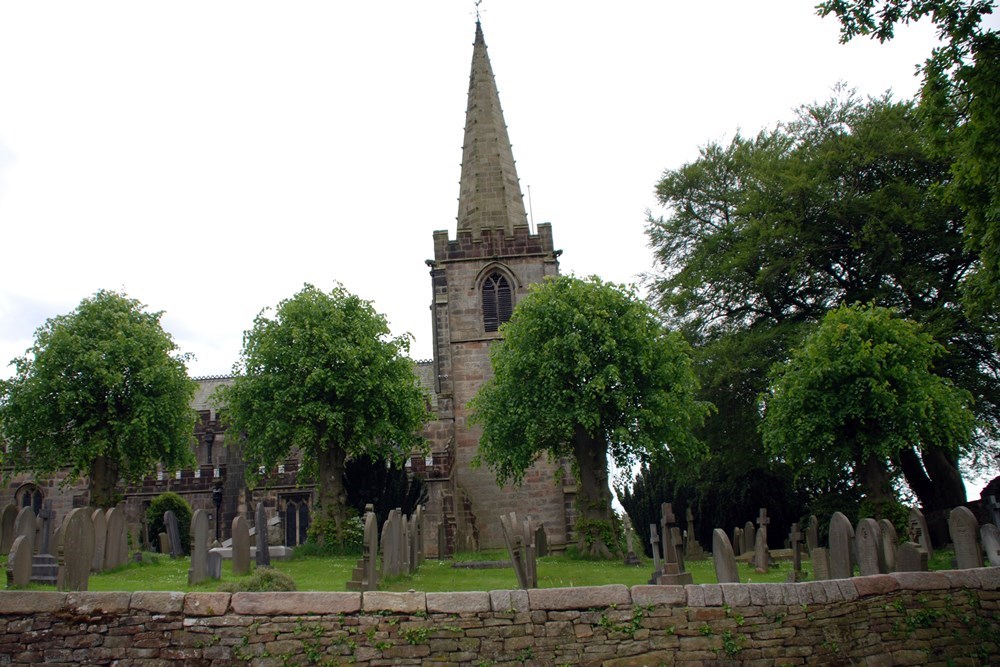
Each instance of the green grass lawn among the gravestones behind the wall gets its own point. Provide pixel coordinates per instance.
(315, 573)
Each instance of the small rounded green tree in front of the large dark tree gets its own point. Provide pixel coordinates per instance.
(860, 390)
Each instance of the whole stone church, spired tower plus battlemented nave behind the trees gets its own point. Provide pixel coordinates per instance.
(476, 279)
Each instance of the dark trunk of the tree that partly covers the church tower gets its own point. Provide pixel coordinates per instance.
(595, 525)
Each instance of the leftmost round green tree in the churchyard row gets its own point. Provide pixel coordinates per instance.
(101, 393)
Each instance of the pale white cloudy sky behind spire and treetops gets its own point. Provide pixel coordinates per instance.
(209, 158)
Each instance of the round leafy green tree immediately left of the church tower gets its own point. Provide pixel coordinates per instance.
(323, 377)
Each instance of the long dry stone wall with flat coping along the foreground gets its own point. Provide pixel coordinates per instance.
(934, 618)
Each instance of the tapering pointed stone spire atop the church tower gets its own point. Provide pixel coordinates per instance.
(489, 193)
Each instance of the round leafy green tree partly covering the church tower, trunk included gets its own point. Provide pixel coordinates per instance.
(586, 370)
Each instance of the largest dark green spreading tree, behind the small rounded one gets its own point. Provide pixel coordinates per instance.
(765, 234)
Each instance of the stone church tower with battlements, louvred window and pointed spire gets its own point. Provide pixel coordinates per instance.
(477, 278)
